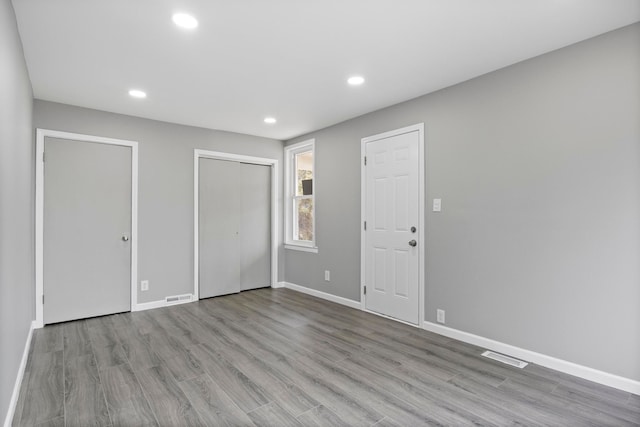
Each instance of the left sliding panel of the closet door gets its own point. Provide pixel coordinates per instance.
(219, 245)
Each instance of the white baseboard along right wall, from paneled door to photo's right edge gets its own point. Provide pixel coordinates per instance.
(601, 377)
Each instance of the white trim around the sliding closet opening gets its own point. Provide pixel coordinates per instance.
(218, 155)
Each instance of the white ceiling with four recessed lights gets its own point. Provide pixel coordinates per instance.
(290, 59)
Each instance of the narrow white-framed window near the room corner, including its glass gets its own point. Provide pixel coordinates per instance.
(300, 210)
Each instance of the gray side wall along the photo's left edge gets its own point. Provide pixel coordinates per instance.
(16, 204)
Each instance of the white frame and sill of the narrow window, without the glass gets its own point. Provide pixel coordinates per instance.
(290, 186)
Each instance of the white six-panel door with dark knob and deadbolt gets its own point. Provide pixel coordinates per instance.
(392, 218)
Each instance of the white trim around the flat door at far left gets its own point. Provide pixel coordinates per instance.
(40, 140)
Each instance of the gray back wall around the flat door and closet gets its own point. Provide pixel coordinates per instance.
(165, 184)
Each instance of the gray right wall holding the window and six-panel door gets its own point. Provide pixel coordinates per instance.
(538, 168)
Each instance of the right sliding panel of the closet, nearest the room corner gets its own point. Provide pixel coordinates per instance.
(255, 226)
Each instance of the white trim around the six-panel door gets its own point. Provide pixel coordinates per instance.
(421, 212)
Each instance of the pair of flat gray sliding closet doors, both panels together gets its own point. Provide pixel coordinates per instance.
(234, 227)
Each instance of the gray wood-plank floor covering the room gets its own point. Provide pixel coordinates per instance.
(278, 357)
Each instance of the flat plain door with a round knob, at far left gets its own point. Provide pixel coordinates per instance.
(86, 229)
